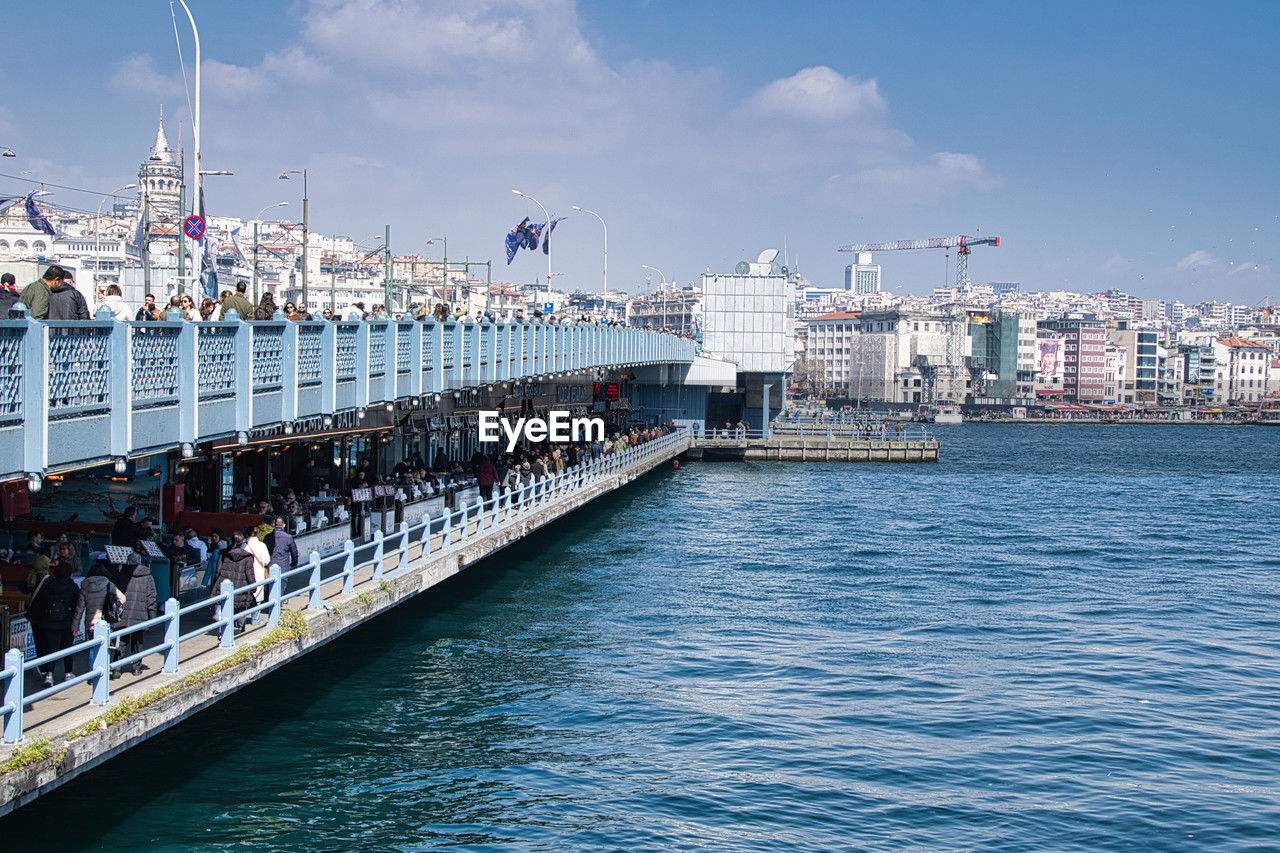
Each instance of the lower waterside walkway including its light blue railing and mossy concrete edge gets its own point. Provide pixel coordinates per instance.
(83, 723)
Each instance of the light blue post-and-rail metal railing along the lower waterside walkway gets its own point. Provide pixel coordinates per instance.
(433, 537)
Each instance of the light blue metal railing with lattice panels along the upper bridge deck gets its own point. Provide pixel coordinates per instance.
(90, 393)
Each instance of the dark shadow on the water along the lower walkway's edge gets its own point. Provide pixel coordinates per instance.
(153, 770)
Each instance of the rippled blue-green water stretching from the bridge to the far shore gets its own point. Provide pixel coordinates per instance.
(1058, 638)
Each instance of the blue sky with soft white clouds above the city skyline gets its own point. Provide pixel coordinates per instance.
(1109, 145)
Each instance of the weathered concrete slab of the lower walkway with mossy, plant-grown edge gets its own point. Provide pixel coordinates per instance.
(68, 736)
